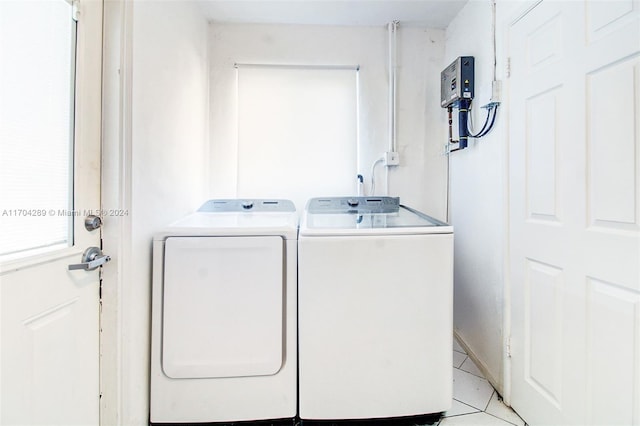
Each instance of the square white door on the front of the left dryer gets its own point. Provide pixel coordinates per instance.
(223, 306)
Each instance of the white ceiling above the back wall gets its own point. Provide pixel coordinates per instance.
(428, 13)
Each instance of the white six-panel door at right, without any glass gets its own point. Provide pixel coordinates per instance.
(575, 212)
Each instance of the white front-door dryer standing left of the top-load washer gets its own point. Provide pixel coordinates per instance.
(223, 341)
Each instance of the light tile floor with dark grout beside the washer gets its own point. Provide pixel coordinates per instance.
(475, 402)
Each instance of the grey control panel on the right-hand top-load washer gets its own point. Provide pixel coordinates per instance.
(358, 205)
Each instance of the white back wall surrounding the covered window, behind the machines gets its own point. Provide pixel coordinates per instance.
(420, 181)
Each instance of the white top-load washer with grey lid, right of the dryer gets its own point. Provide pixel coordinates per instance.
(375, 287)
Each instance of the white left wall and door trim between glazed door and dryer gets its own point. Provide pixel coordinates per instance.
(160, 168)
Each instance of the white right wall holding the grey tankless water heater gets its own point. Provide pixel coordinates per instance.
(478, 202)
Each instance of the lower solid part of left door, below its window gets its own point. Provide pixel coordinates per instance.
(49, 346)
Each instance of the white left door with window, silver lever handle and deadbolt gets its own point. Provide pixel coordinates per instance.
(50, 103)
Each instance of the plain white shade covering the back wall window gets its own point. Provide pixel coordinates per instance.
(297, 132)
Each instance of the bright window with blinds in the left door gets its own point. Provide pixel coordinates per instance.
(37, 63)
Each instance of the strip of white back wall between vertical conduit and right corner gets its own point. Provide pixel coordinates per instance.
(421, 180)
